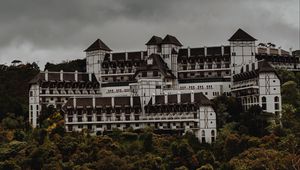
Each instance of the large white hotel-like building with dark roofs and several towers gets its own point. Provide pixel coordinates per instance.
(164, 86)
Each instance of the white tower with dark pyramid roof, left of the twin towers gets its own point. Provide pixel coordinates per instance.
(95, 55)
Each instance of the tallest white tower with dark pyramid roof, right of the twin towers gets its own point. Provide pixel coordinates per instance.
(242, 47)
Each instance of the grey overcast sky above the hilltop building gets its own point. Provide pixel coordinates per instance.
(57, 30)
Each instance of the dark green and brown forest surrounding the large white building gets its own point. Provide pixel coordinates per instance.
(245, 140)
